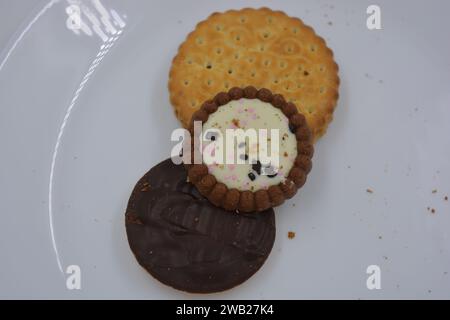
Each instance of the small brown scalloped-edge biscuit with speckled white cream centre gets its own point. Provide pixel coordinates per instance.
(255, 151)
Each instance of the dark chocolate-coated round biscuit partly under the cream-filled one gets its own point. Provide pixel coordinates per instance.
(185, 242)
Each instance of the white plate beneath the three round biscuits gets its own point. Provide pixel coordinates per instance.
(63, 200)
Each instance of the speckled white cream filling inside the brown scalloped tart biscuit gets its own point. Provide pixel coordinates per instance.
(250, 114)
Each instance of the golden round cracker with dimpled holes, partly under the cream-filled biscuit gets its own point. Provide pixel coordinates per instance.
(258, 47)
